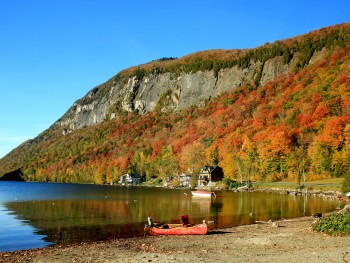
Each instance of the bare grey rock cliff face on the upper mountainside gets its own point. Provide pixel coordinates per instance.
(166, 92)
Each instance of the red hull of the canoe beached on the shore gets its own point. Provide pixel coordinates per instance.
(200, 229)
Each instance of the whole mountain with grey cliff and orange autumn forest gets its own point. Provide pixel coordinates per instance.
(279, 111)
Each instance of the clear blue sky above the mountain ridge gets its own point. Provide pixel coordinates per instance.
(52, 52)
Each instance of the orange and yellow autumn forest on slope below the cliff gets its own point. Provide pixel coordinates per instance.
(293, 128)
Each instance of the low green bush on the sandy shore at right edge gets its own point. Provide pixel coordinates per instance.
(334, 224)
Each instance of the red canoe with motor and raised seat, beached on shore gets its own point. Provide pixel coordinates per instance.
(184, 228)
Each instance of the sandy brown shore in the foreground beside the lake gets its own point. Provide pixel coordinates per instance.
(280, 241)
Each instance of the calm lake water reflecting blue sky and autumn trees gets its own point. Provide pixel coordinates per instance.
(40, 214)
